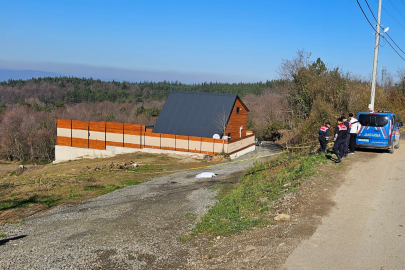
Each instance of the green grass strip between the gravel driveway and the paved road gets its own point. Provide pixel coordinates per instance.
(247, 205)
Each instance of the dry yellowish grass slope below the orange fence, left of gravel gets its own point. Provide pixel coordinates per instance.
(53, 184)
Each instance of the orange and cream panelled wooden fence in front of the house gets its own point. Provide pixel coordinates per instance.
(99, 135)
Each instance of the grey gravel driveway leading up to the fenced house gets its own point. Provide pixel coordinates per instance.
(133, 228)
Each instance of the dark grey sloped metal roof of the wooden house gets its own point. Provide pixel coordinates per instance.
(193, 113)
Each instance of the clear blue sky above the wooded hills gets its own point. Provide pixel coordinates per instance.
(194, 41)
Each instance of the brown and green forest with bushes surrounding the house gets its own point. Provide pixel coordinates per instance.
(293, 106)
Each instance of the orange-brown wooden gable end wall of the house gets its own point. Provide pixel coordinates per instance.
(237, 120)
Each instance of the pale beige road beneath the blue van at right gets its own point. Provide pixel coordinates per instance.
(366, 227)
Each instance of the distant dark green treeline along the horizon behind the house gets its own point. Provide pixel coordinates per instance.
(70, 90)
